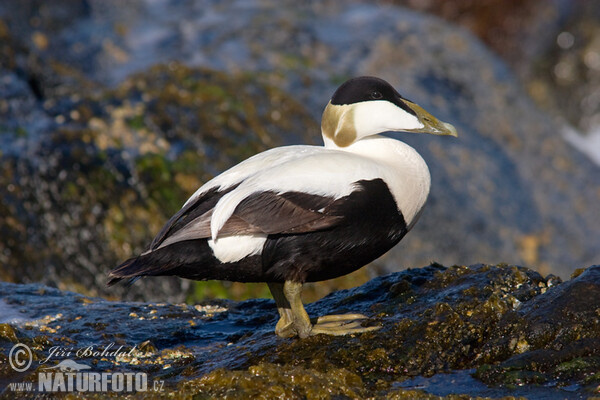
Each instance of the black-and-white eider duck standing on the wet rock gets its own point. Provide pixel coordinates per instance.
(297, 214)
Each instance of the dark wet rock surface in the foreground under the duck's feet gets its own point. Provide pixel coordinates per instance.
(496, 330)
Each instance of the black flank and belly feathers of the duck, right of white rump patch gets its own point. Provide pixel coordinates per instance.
(371, 226)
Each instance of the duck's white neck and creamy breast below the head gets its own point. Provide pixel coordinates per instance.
(401, 167)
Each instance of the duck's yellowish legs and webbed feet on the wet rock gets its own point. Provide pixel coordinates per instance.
(295, 321)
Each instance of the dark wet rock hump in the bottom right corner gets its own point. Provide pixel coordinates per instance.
(562, 327)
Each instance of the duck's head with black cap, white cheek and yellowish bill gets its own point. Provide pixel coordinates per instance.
(366, 106)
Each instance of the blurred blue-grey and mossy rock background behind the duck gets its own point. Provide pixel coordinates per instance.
(112, 113)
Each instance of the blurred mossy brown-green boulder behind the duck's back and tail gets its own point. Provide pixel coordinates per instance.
(121, 161)
